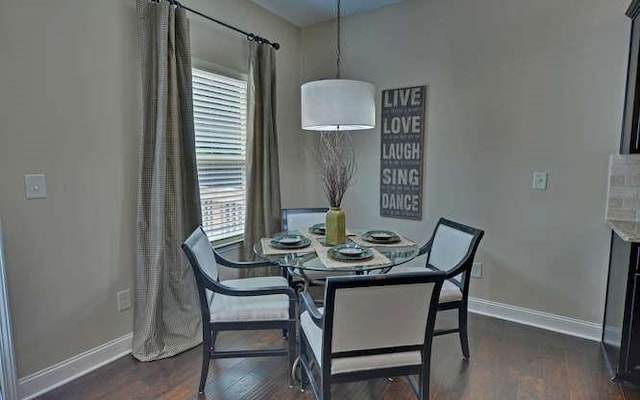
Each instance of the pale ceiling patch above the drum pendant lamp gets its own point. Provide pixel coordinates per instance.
(308, 12)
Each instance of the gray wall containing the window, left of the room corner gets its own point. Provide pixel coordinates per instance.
(69, 106)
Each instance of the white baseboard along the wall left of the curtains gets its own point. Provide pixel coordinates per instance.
(56, 375)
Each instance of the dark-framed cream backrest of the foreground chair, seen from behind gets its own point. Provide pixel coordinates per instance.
(380, 314)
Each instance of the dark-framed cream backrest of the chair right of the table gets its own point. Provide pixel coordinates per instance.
(453, 247)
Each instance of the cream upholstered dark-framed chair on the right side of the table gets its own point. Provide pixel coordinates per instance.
(452, 249)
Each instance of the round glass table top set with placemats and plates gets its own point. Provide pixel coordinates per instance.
(316, 256)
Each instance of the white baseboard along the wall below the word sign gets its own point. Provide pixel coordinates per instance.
(538, 319)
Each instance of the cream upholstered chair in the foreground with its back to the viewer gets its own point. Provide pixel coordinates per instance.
(371, 327)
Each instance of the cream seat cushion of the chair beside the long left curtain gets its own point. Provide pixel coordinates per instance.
(251, 308)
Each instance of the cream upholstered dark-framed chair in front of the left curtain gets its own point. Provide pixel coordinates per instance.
(238, 304)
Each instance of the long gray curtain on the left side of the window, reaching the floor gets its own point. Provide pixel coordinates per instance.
(167, 317)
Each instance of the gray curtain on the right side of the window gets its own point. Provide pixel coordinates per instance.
(263, 175)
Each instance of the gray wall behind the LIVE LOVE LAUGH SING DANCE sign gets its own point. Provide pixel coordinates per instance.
(515, 86)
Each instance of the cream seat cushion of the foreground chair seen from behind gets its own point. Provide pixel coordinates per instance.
(353, 364)
